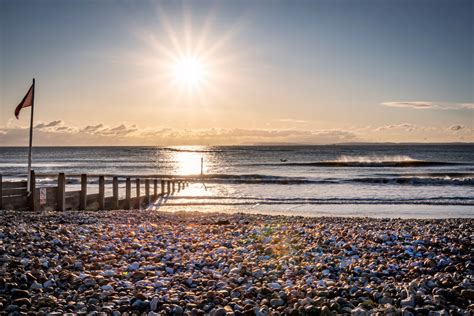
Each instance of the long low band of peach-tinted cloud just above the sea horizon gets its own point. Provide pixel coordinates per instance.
(60, 133)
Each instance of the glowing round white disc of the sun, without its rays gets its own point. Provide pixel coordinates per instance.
(189, 71)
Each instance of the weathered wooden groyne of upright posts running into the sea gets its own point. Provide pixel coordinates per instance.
(14, 195)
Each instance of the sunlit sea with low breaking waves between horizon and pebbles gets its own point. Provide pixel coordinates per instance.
(373, 180)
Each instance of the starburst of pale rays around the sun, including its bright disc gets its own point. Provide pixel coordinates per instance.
(190, 62)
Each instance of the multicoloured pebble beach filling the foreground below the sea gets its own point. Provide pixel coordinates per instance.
(190, 263)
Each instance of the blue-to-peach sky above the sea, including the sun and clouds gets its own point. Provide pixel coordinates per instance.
(237, 72)
